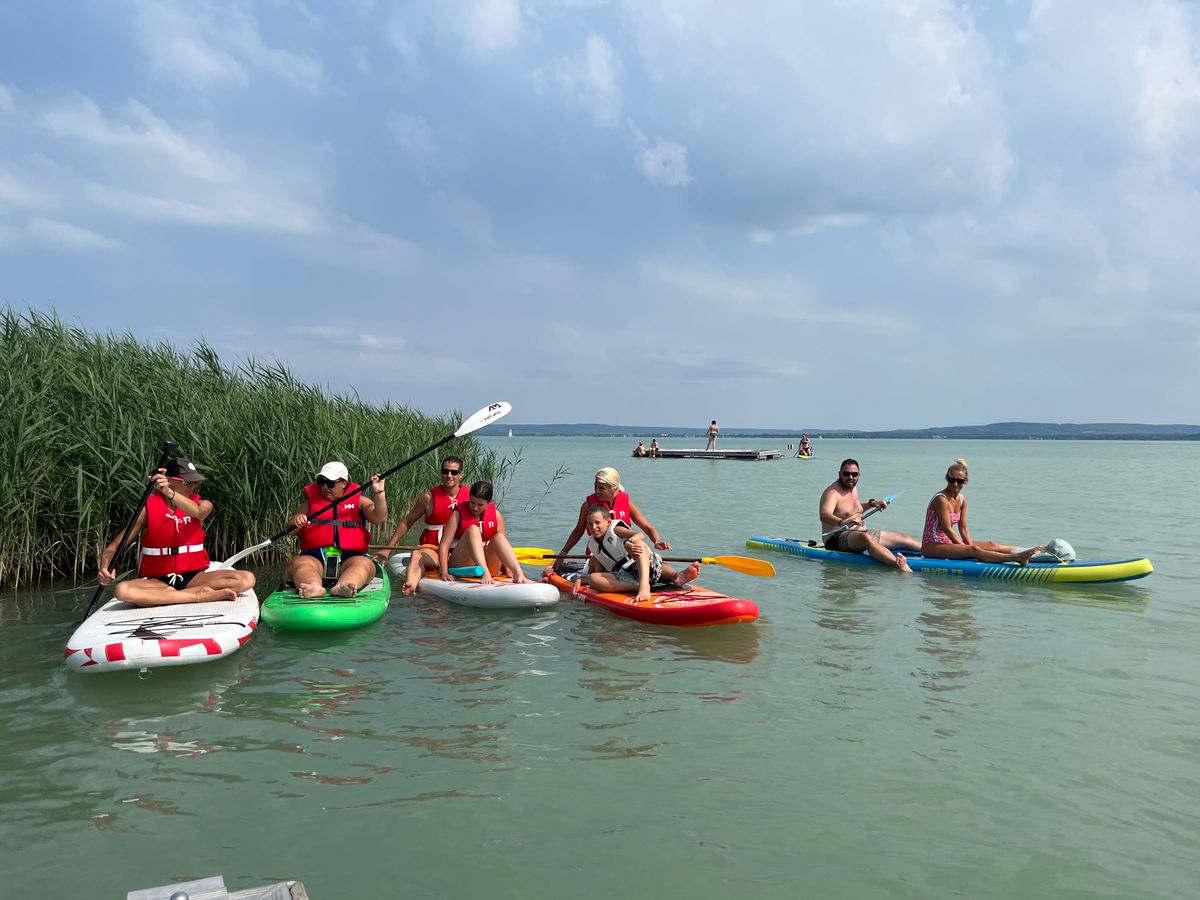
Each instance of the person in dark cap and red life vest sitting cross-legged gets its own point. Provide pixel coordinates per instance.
(172, 568)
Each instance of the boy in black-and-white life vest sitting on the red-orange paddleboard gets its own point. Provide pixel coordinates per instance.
(622, 563)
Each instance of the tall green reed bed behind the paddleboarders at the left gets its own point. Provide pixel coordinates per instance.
(83, 418)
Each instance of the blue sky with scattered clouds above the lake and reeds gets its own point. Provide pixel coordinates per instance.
(867, 214)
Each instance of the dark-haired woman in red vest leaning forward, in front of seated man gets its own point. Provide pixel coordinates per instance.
(473, 536)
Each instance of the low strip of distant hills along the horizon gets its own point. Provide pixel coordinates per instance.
(997, 431)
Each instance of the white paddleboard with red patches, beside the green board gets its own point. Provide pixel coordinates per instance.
(121, 637)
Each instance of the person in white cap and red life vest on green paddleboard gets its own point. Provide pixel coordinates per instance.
(334, 545)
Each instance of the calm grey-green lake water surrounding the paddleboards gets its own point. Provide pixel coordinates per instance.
(872, 736)
